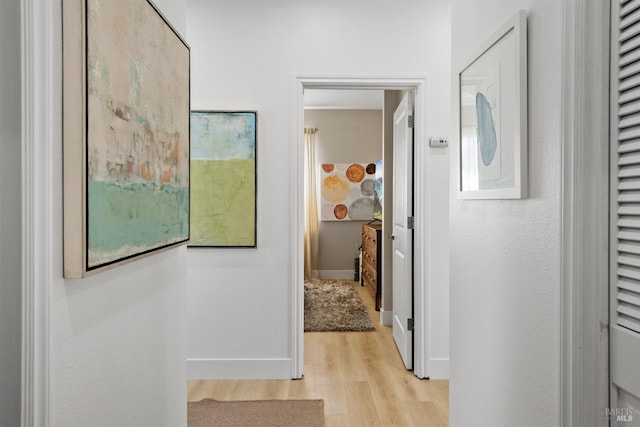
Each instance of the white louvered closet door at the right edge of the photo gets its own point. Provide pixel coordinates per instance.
(625, 214)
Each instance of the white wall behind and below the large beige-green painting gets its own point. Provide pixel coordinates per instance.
(117, 341)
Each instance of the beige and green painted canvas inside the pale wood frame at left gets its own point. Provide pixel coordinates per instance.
(137, 132)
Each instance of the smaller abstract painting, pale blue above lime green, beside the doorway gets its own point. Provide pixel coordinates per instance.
(223, 178)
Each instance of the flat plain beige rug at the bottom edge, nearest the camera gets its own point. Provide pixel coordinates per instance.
(256, 413)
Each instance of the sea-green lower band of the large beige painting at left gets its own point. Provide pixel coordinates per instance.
(126, 220)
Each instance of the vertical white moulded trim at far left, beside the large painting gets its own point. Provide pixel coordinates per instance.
(38, 133)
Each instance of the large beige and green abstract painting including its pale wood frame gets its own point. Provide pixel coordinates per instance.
(126, 126)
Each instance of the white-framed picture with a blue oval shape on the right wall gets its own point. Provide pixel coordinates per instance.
(493, 117)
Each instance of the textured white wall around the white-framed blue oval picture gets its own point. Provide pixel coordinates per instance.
(505, 268)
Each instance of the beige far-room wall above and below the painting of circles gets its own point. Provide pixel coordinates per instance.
(345, 136)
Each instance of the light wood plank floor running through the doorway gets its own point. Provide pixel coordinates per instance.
(359, 375)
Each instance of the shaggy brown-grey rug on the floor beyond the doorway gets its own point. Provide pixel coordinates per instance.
(334, 305)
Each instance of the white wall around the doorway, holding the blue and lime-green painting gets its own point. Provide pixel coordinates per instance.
(245, 55)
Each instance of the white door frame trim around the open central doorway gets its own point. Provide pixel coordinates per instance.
(420, 332)
